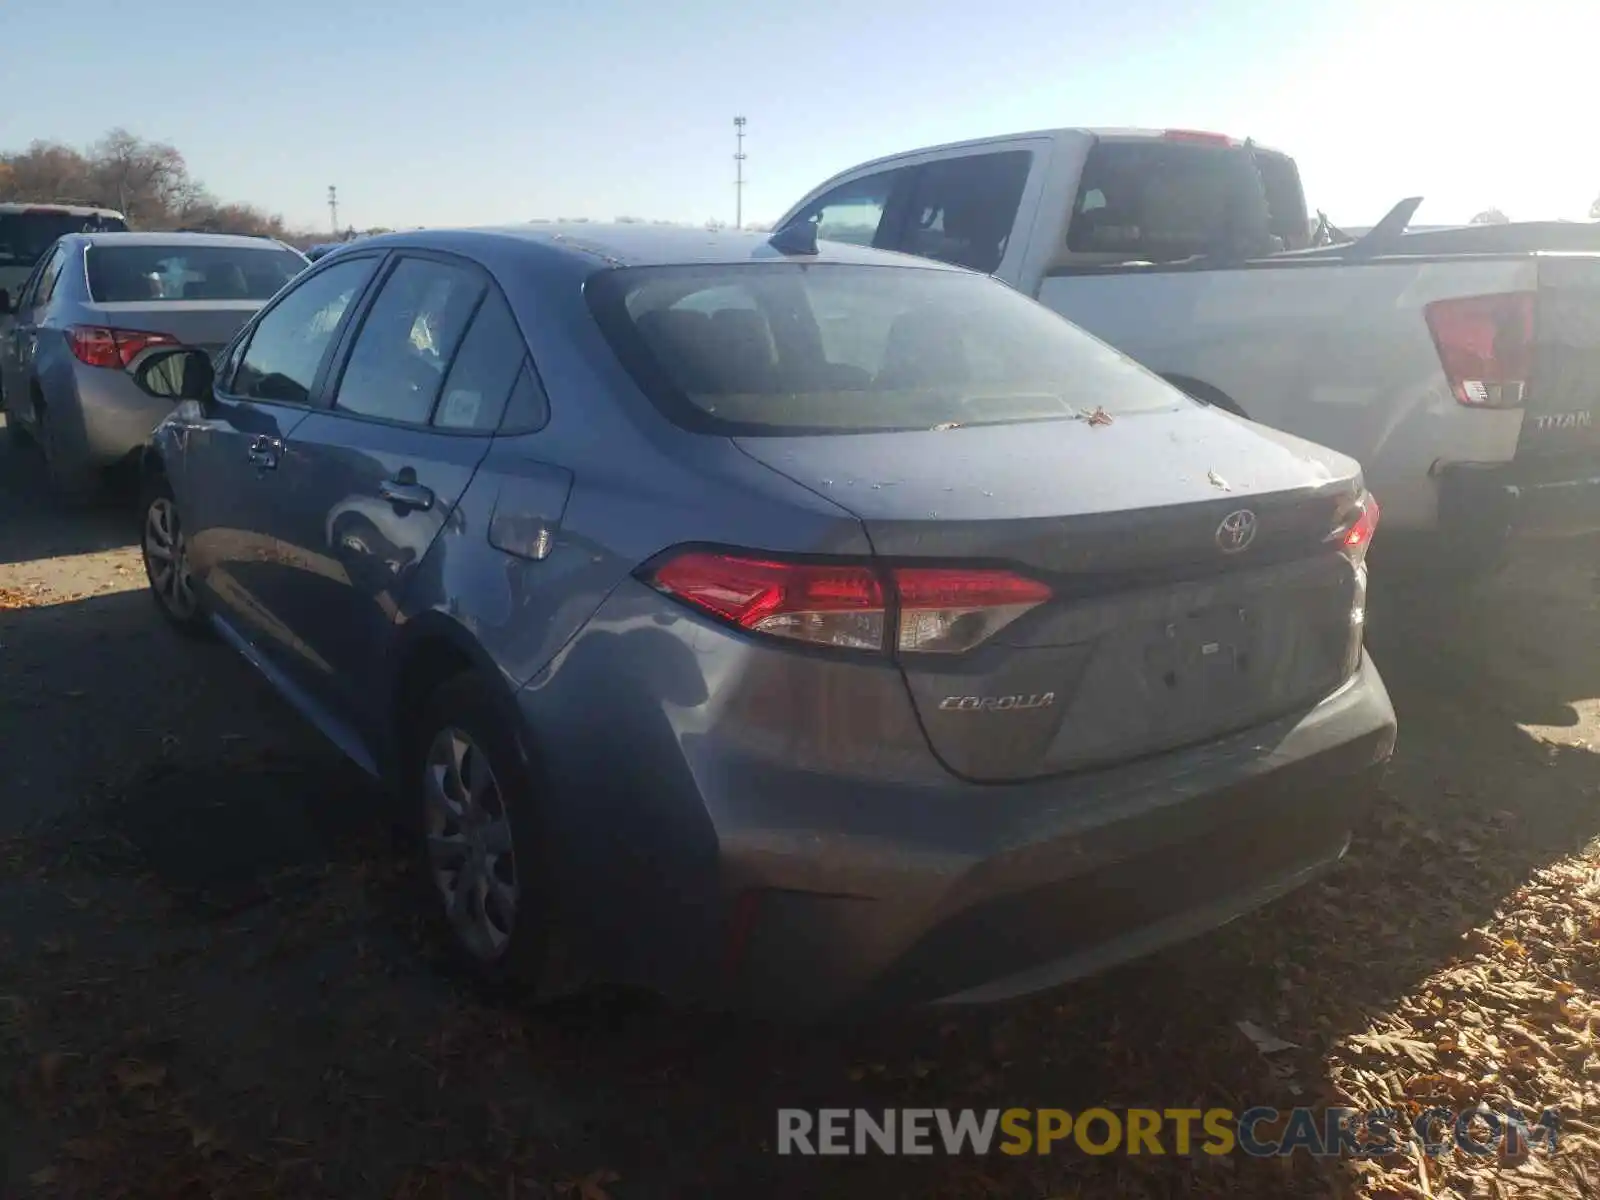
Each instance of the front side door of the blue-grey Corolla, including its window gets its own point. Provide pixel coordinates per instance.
(234, 449)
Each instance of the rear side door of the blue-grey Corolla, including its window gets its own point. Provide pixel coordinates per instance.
(377, 474)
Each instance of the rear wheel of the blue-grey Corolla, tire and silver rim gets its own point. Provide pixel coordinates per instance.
(479, 833)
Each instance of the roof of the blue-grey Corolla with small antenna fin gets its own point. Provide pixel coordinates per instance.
(634, 246)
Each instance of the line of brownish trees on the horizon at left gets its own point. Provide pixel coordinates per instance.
(146, 182)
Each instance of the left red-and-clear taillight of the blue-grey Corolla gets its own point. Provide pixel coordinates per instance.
(850, 606)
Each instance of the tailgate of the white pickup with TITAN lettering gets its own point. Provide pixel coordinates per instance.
(1562, 412)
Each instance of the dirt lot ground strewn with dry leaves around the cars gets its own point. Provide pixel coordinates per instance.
(214, 983)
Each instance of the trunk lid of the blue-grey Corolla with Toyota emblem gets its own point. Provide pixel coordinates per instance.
(1156, 634)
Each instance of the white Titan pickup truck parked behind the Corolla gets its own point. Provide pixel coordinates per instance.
(1465, 383)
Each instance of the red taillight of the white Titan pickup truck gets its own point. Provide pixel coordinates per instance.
(1486, 346)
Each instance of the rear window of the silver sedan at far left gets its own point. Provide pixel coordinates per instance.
(122, 274)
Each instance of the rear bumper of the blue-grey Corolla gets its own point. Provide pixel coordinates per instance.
(756, 879)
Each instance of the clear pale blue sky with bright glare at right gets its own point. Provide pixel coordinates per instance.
(486, 111)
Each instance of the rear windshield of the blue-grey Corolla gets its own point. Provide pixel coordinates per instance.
(818, 348)
